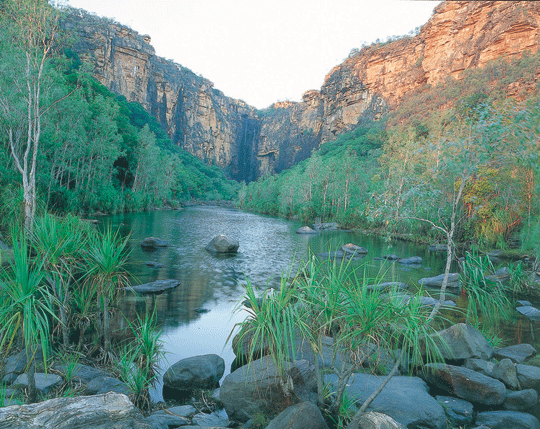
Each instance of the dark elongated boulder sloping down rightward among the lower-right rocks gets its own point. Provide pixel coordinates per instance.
(465, 383)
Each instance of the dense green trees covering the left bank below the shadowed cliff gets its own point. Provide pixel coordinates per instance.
(69, 143)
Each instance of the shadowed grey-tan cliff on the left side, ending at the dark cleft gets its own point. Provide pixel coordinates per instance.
(217, 129)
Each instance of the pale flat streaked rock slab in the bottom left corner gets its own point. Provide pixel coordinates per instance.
(107, 411)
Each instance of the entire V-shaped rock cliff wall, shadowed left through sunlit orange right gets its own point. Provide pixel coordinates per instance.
(249, 143)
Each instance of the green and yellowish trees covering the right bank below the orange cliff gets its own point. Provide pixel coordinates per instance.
(404, 172)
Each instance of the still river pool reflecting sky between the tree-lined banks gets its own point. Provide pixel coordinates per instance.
(197, 317)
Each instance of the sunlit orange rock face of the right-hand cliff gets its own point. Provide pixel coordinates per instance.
(460, 35)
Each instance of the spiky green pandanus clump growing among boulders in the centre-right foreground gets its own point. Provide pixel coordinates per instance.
(330, 299)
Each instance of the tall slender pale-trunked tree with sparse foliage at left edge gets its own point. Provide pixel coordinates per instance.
(30, 29)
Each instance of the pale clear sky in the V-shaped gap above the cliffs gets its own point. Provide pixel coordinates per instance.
(257, 50)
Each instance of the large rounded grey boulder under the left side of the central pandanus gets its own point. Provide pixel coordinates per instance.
(257, 388)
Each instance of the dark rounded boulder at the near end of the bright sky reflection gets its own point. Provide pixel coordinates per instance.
(196, 372)
